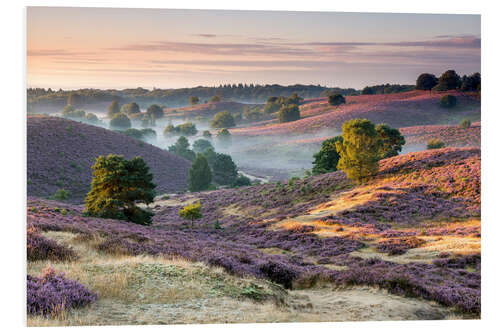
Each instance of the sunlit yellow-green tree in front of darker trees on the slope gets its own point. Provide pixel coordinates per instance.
(359, 150)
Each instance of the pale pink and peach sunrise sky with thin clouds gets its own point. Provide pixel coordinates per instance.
(72, 48)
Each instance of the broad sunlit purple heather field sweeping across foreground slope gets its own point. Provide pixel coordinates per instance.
(321, 229)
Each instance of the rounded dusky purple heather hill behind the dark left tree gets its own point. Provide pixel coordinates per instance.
(61, 153)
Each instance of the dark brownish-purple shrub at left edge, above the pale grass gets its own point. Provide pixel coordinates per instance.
(41, 248)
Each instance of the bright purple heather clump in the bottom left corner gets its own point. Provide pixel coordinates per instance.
(52, 293)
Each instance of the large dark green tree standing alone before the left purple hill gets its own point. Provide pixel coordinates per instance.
(117, 185)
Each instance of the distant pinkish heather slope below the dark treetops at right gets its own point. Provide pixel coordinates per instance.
(397, 110)
